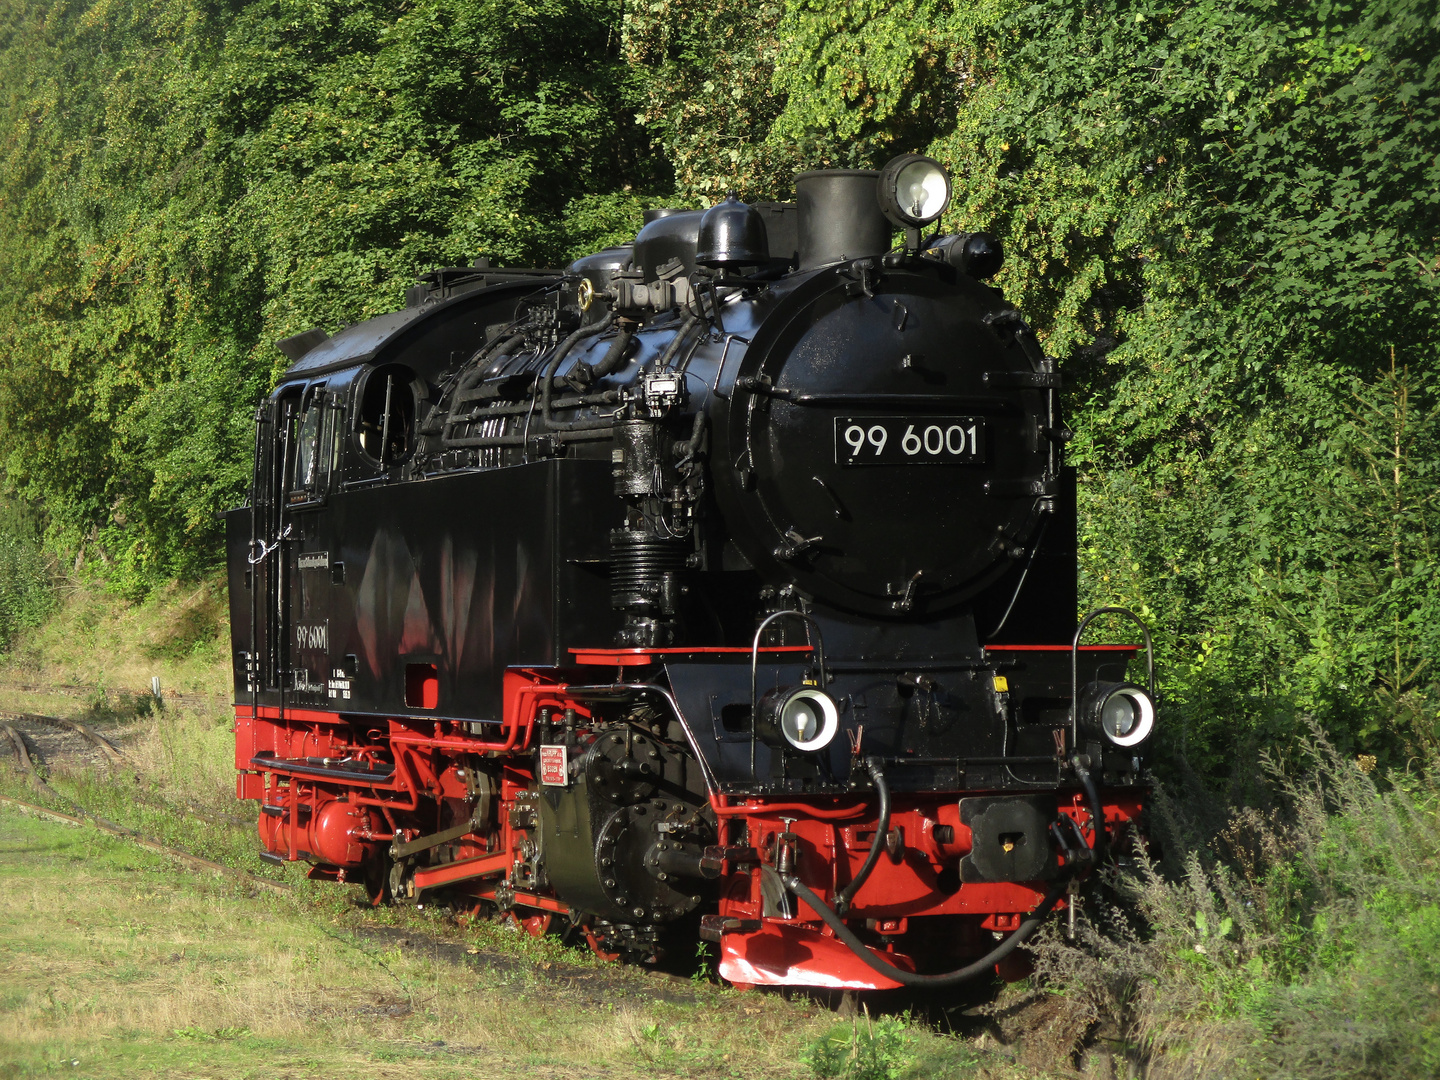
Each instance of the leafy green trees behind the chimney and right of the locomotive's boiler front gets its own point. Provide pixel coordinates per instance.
(1225, 218)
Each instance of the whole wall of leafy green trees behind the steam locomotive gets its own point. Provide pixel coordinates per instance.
(1222, 217)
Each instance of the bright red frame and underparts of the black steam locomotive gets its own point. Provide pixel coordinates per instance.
(336, 803)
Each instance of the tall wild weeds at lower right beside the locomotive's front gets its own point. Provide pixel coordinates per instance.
(1297, 938)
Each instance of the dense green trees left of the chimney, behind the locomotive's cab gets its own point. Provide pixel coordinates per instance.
(182, 185)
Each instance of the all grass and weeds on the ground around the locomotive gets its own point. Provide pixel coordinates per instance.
(1297, 935)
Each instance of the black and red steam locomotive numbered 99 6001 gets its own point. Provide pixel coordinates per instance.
(721, 584)
